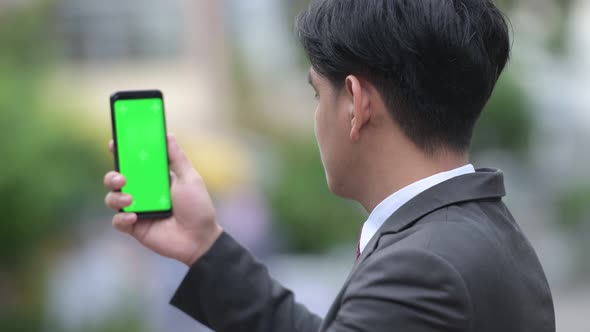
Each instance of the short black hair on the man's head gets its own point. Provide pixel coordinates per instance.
(434, 62)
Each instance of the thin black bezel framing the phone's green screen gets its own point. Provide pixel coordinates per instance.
(139, 94)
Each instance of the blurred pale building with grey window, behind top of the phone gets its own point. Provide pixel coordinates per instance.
(177, 46)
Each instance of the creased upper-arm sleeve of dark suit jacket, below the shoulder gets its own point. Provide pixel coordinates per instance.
(407, 291)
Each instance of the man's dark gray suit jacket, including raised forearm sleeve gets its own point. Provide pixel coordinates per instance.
(451, 259)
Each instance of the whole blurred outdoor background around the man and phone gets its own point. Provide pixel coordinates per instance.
(235, 85)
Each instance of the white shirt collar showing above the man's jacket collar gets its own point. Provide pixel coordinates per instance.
(389, 205)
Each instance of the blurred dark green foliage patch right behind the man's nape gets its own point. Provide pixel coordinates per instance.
(506, 123)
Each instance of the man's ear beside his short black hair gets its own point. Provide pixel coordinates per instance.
(360, 110)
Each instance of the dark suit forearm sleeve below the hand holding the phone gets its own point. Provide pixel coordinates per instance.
(228, 290)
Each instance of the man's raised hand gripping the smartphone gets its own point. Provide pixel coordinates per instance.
(190, 232)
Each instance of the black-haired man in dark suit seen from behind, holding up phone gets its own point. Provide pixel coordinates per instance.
(400, 85)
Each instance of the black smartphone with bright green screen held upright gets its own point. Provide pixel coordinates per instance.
(141, 152)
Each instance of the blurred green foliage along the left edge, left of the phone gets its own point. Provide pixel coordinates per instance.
(49, 170)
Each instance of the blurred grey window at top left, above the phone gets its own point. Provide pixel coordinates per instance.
(114, 29)
